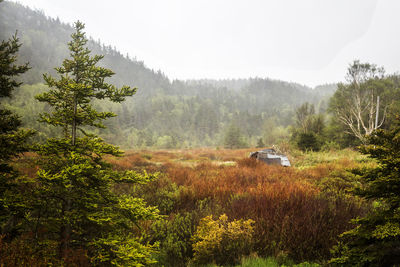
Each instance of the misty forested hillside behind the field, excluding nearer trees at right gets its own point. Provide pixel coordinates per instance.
(163, 113)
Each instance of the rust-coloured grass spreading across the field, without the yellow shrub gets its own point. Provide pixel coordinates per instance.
(293, 213)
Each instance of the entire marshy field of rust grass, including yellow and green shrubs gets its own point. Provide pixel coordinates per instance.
(220, 207)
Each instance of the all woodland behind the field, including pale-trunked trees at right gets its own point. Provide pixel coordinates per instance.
(193, 113)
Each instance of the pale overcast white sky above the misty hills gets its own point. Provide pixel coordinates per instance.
(306, 41)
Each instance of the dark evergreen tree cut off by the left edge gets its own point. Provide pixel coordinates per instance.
(12, 138)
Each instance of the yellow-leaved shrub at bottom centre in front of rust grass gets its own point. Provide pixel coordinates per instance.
(222, 242)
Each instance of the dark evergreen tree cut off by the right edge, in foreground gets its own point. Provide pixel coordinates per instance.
(375, 241)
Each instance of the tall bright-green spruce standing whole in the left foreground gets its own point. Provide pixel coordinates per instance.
(78, 208)
